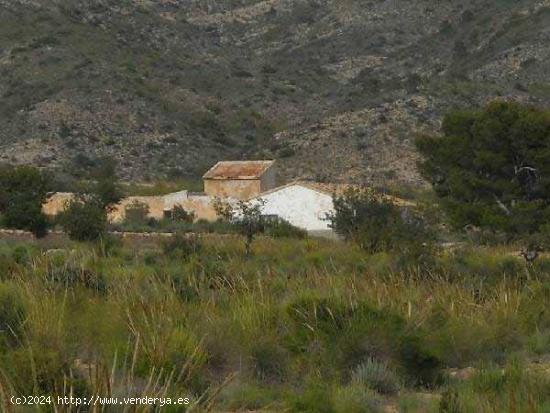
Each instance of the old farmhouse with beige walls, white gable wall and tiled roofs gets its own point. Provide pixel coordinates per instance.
(304, 204)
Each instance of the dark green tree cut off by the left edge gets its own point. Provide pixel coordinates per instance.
(23, 191)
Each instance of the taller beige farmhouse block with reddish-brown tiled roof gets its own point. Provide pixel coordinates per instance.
(239, 179)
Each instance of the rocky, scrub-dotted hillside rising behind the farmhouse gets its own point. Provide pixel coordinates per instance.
(335, 89)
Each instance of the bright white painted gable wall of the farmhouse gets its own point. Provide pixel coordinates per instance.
(301, 206)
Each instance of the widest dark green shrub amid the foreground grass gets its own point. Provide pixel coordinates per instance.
(345, 336)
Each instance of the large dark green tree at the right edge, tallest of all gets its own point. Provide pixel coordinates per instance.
(491, 167)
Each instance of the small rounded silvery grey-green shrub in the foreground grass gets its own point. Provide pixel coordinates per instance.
(377, 376)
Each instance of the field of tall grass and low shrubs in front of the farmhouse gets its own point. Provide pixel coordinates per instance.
(298, 326)
